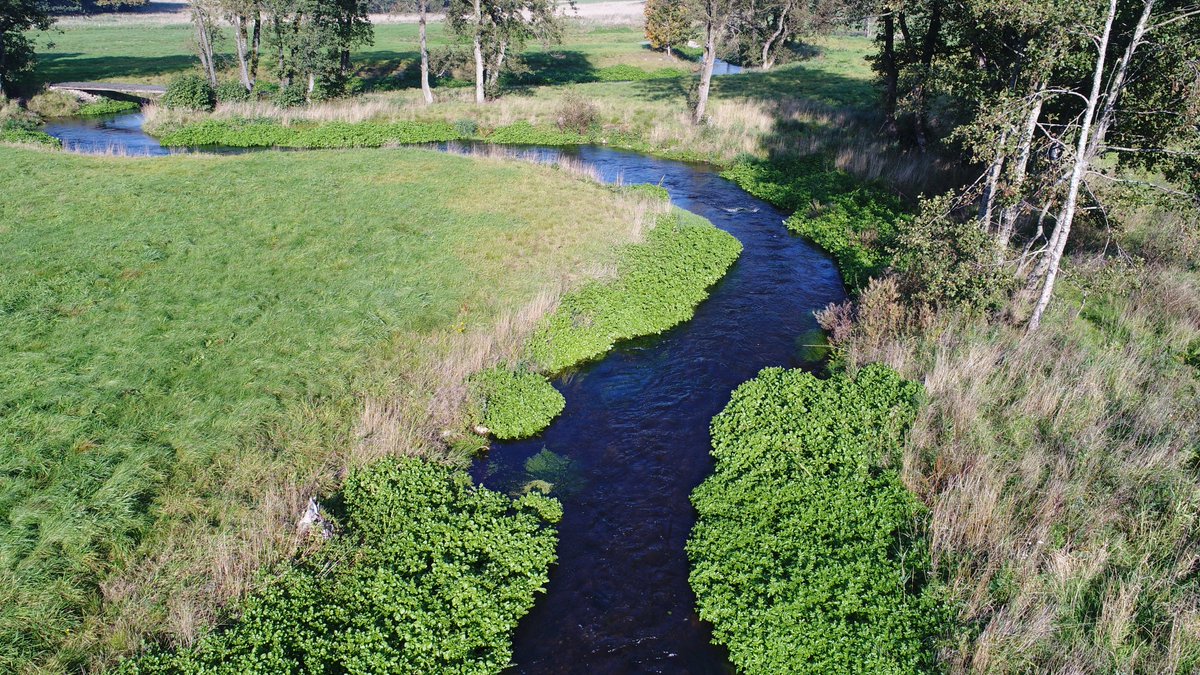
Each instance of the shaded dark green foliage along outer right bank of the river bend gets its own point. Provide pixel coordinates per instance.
(857, 224)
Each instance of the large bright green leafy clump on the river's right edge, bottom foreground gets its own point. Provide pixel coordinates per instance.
(808, 555)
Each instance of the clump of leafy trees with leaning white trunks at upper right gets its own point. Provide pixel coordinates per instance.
(1064, 104)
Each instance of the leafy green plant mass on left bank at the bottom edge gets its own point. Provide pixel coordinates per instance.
(429, 576)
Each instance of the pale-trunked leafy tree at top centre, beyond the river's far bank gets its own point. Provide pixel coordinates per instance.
(497, 31)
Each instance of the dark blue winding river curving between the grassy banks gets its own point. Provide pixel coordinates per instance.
(634, 441)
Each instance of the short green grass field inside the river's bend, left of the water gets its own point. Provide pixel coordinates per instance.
(188, 344)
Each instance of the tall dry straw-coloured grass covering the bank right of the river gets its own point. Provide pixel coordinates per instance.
(1061, 474)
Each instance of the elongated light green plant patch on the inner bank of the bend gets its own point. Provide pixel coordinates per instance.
(658, 285)
